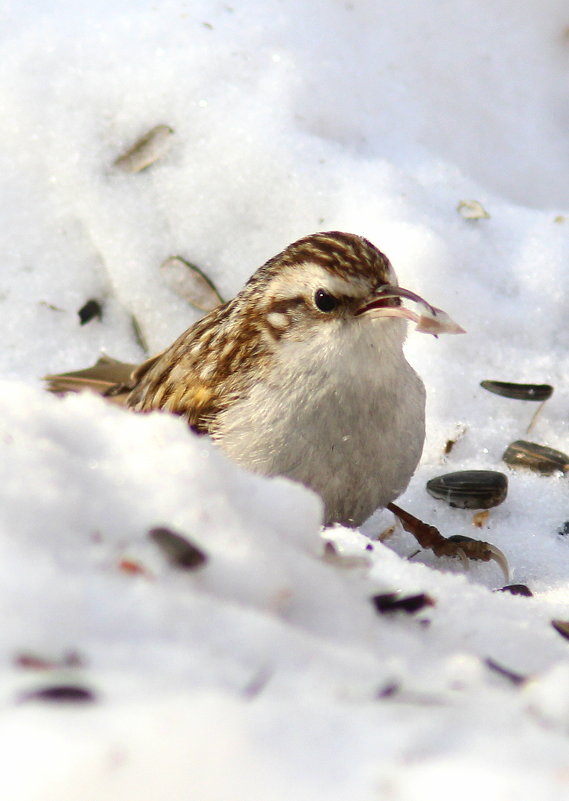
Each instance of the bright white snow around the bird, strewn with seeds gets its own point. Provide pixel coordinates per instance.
(268, 674)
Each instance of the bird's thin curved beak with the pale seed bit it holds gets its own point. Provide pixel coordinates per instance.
(386, 302)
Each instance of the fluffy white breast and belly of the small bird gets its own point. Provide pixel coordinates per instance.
(343, 415)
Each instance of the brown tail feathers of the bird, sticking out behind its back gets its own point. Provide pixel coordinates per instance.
(107, 377)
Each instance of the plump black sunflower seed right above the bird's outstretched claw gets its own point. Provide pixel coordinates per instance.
(470, 489)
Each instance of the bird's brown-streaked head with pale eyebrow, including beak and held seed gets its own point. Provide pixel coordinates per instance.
(327, 282)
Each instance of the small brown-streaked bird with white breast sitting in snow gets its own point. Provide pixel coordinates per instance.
(302, 374)
